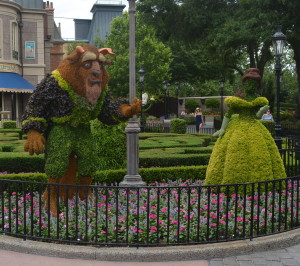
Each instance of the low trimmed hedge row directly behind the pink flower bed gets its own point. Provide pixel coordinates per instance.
(149, 175)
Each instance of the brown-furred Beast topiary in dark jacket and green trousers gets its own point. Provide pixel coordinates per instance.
(58, 114)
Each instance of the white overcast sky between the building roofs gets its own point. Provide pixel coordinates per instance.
(66, 10)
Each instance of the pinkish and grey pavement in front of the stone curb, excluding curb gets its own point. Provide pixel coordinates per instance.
(286, 256)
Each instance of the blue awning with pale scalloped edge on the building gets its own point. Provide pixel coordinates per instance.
(13, 82)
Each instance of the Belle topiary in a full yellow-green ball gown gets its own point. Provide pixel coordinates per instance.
(245, 150)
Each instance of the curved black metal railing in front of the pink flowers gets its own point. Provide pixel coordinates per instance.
(159, 214)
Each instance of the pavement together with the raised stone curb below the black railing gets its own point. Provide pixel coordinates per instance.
(279, 249)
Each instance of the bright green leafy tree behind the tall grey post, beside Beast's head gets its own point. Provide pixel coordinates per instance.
(151, 54)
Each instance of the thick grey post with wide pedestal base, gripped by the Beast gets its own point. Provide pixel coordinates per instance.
(132, 178)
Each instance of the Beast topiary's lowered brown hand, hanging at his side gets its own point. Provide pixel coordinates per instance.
(35, 142)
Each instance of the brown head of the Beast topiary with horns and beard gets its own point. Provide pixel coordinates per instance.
(84, 70)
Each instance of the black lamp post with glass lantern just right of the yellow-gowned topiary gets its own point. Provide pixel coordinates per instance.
(278, 44)
